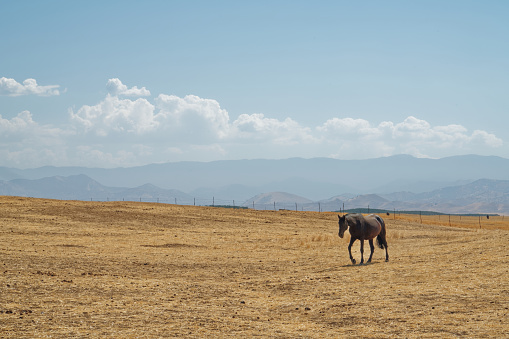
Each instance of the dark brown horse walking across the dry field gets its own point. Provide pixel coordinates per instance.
(364, 228)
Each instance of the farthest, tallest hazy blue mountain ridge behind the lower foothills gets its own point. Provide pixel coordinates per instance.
(313, 178)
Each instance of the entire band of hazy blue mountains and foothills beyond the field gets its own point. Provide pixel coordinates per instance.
(463, 184)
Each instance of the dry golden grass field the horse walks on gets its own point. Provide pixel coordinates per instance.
(71, 269)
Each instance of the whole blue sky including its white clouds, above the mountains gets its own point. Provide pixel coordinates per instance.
(126, 83)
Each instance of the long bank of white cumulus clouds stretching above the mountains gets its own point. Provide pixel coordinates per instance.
(121, 131)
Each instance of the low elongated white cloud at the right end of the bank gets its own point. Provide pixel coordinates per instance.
(411, 136)
